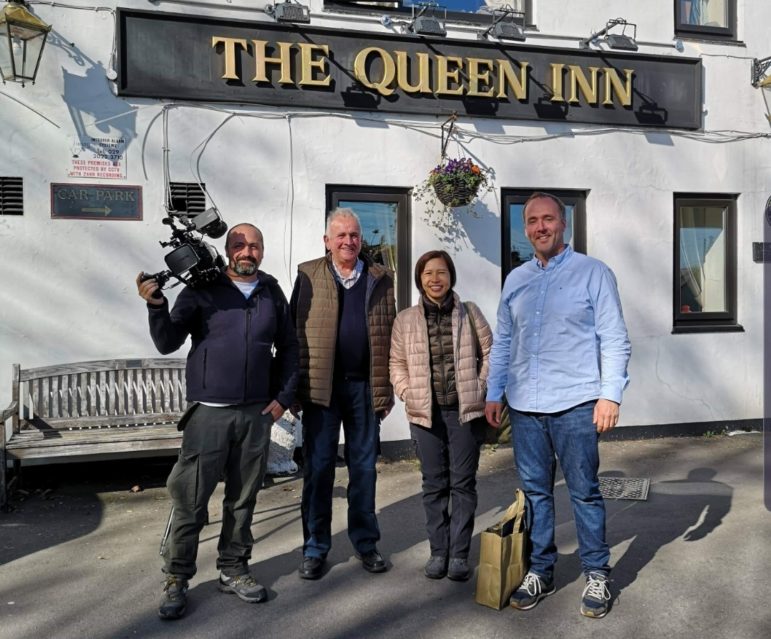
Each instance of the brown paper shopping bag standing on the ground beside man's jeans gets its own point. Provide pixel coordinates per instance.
(502, 557)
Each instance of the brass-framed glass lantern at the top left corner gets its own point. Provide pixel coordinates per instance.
(23, 37)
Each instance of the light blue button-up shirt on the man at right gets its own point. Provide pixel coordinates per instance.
(560, 339)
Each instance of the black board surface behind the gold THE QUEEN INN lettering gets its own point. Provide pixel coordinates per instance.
(170, 56)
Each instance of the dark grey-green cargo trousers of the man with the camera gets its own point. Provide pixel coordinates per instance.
(232, 442)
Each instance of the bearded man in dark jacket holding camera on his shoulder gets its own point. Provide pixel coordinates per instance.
(234, 322)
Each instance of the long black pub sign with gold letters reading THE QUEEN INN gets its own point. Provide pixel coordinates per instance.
(173, 56)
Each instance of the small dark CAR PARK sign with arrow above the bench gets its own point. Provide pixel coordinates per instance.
(96, 202)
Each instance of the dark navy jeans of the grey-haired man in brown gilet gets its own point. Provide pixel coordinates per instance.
(352, 404)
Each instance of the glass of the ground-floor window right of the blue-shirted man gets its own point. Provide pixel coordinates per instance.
(703, 259)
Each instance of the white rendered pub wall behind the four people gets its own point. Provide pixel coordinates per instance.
(68, 290)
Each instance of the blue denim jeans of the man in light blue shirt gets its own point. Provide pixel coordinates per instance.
(570, 436)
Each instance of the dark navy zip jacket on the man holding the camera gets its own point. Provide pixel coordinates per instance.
(232, 339)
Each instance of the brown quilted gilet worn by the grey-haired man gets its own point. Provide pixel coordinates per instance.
(314, 309)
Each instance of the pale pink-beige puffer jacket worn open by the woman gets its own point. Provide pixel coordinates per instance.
(410, 362)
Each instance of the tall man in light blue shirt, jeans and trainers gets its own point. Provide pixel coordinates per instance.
(559, 355)
